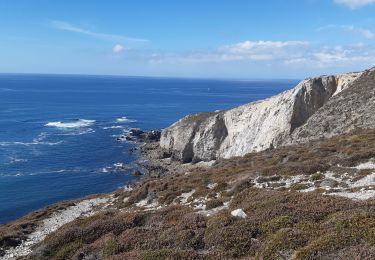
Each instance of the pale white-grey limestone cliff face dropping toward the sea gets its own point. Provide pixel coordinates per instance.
(253, 127)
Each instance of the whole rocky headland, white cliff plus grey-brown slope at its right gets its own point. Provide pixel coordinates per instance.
(289, 117)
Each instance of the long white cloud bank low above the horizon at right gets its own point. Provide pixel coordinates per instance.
(275, 53)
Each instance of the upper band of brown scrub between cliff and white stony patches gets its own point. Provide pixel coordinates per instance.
(238, 174)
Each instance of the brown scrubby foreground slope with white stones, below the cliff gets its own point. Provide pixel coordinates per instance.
(308, 201)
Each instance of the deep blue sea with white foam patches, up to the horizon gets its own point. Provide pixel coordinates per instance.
(58, 133)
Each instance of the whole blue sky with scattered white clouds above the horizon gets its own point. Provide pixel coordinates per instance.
(187, 38)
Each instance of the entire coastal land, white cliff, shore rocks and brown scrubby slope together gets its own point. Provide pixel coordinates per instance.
(226, 185)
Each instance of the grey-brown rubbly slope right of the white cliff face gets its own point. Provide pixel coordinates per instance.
(353, 108)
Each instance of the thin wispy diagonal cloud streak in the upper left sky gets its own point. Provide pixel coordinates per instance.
(65, 26)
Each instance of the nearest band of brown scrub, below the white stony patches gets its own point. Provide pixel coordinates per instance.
(279, 224)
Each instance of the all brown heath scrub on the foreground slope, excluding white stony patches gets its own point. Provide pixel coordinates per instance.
(280, 224)
